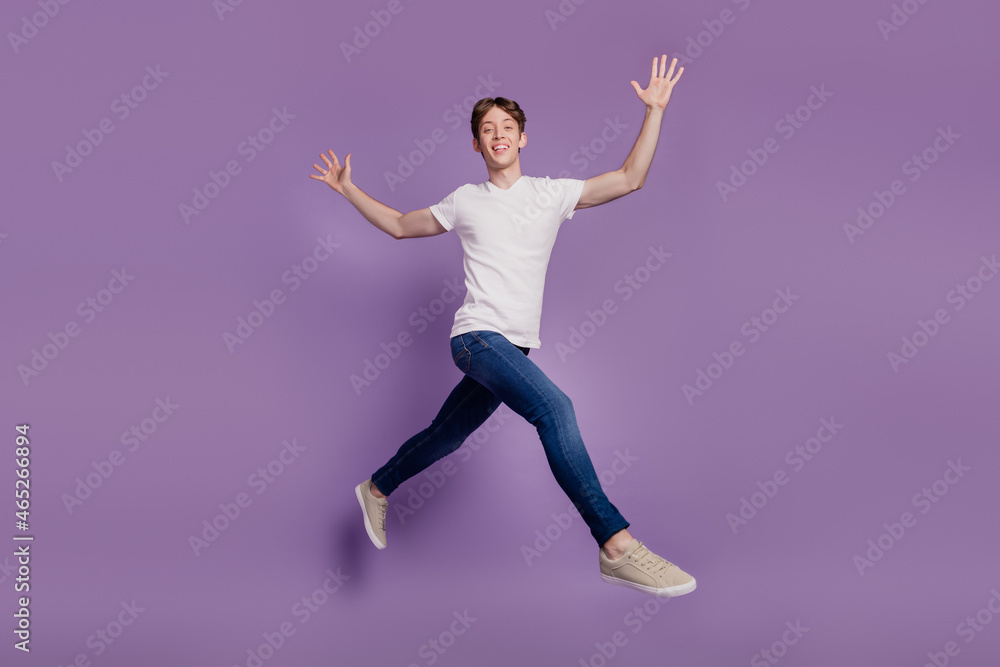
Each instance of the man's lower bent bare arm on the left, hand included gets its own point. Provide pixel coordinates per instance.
(414, 224)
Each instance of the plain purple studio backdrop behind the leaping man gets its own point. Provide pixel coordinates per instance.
(694, 461)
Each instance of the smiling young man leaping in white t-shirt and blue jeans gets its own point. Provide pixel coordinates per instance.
(507, 226)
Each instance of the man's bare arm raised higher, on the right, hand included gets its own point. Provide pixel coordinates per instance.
(632, 174)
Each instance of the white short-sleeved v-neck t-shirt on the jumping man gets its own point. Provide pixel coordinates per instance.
(507, 238)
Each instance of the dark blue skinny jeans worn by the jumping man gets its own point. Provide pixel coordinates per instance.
(497, 371)
